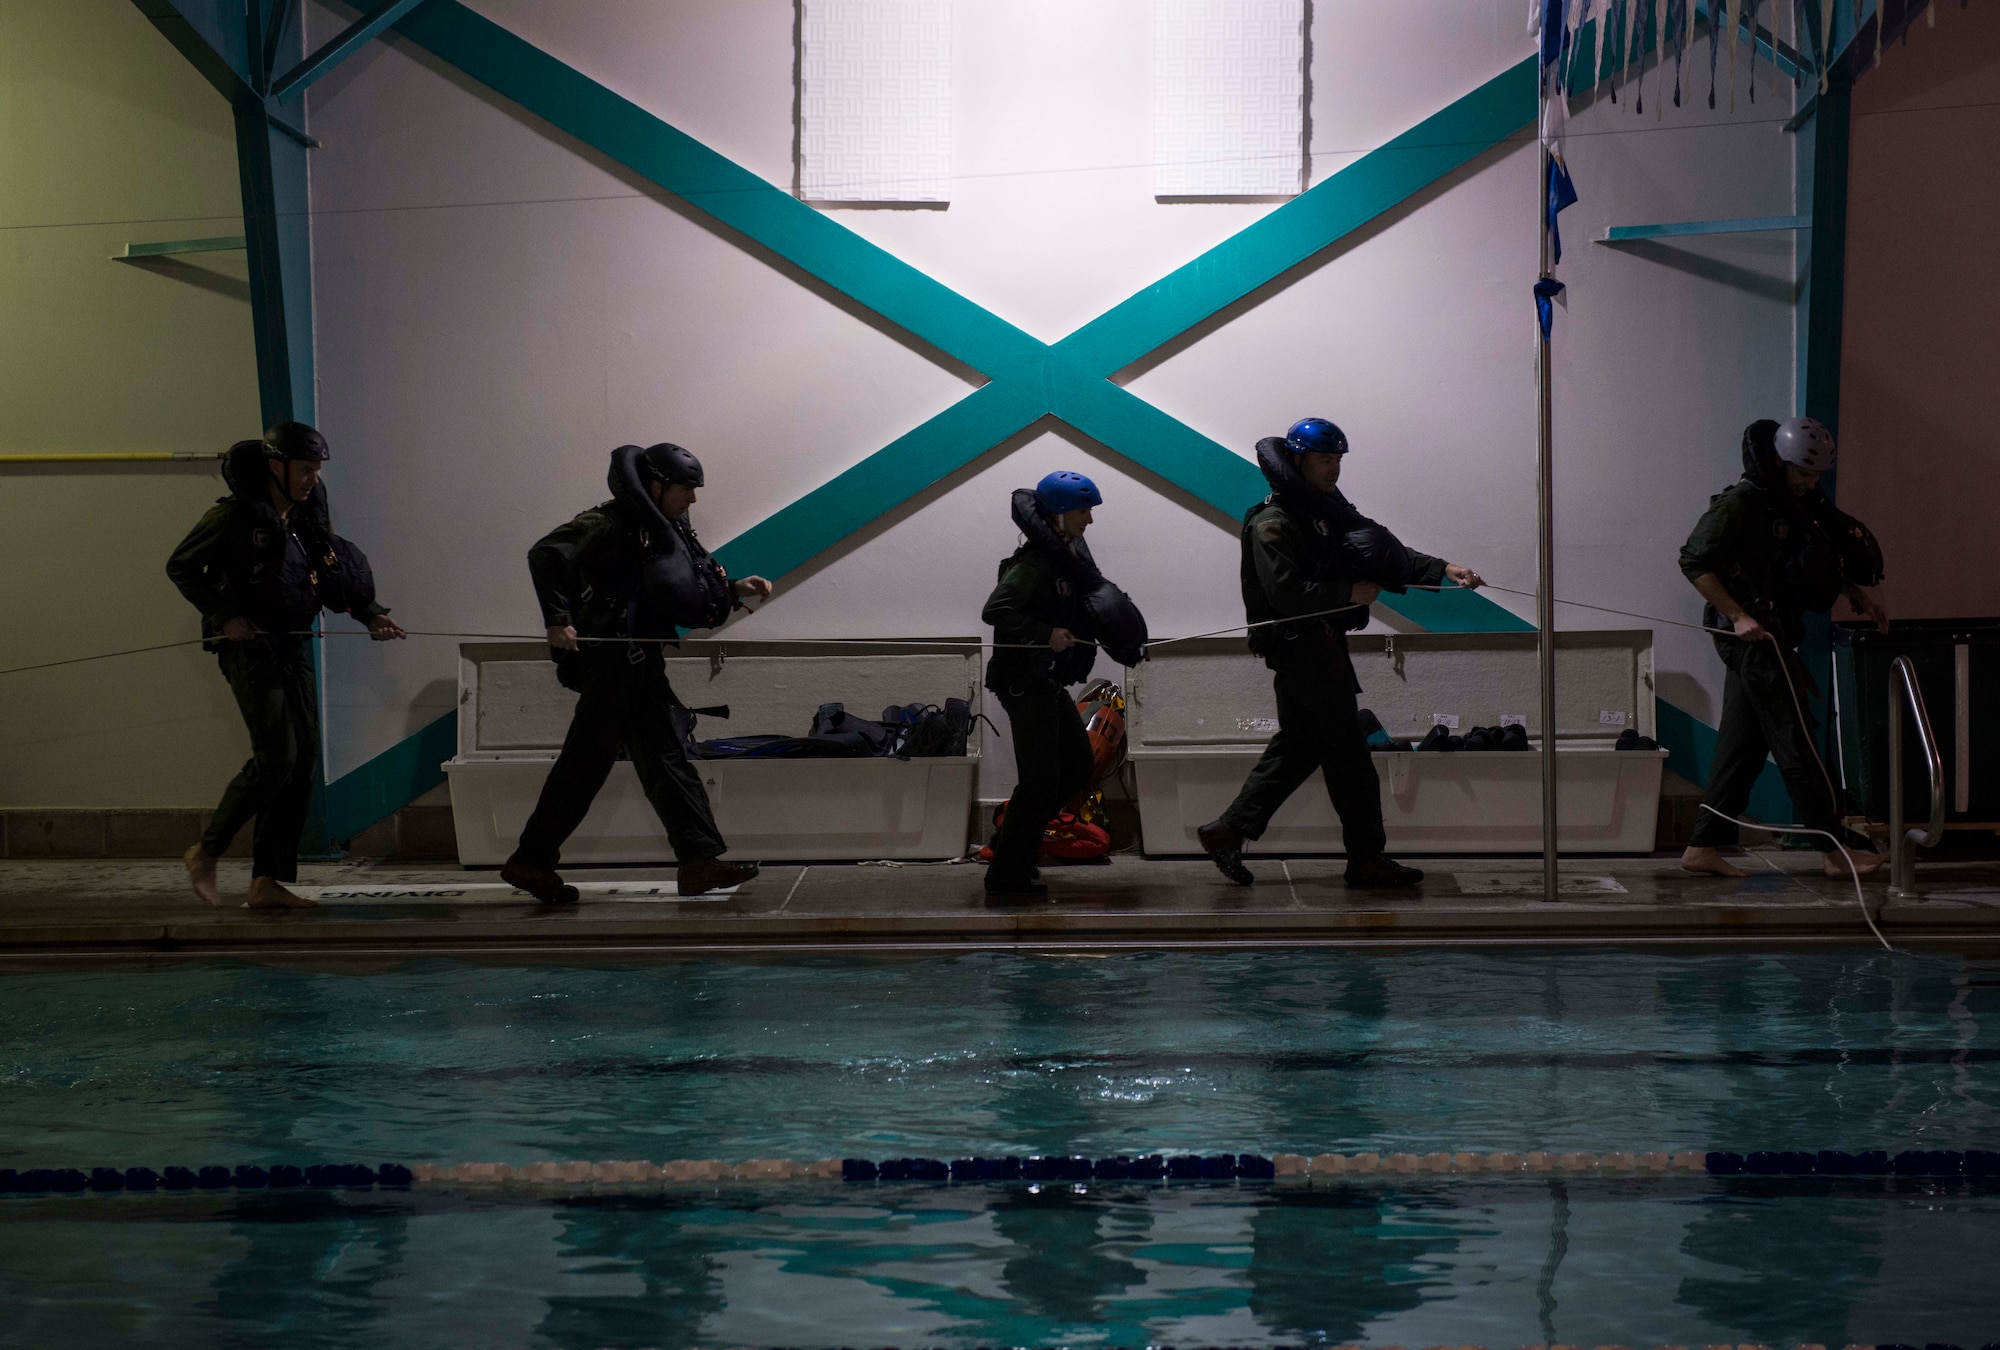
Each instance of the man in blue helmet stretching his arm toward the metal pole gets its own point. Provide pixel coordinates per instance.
(1311, 569)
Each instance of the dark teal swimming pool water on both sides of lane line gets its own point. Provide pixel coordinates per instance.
(1007, 1055)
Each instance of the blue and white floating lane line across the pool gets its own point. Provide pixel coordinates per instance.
(1295, 1169)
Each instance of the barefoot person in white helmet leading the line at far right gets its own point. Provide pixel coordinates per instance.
(1765, 553)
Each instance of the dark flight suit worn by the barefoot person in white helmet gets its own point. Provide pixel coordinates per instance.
(1747, 539)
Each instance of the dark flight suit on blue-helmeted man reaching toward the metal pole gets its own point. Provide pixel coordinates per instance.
(1293, 567)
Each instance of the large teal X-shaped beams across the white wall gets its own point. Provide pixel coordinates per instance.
(1027, 379)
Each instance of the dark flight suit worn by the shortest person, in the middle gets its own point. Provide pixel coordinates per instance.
(1051, 747)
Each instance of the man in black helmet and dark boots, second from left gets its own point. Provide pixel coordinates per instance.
(615, 585)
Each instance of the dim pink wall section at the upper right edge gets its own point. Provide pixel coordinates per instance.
(1921, 355)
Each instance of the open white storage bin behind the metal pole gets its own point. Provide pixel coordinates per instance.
(1201, 715)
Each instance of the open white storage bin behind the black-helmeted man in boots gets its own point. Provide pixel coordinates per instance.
(513, 717)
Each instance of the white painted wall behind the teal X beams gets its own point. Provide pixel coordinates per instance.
(497, 309)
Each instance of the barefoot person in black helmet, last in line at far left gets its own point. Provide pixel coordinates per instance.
(261, 567)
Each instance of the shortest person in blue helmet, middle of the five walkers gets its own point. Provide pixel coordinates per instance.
(1041, 615)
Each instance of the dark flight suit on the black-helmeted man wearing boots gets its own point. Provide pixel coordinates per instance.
(587, 575)
